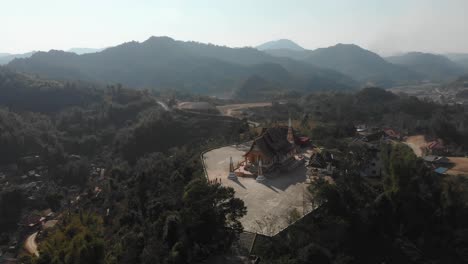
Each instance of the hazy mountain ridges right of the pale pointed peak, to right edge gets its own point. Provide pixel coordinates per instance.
(368, 67)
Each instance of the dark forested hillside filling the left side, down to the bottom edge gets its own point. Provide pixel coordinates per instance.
(154, 201)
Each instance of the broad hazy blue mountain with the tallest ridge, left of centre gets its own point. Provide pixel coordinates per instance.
(161, 62)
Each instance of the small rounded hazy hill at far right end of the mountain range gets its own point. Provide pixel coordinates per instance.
(431, 66)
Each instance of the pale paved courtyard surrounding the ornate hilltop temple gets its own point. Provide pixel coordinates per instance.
(269, 204)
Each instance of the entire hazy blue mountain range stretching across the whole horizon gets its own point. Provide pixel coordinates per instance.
(281, 65)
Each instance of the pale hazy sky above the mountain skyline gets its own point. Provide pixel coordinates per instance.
(384, 26)
